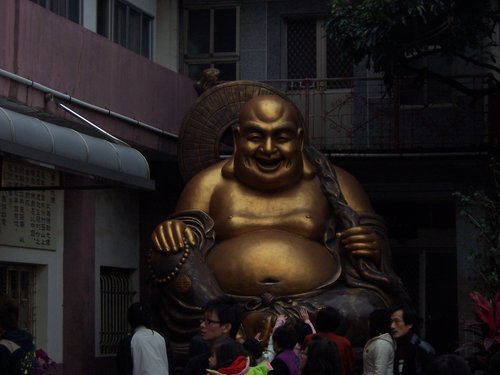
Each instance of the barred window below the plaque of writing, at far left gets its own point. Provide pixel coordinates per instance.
(18, 282)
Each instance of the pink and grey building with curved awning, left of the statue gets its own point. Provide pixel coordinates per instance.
(90, 105)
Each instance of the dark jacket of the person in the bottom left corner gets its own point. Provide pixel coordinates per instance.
(17, 353)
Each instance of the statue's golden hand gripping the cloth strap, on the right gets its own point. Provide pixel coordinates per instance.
(361, 241)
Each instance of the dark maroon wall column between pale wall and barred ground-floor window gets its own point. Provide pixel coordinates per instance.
(79, 284)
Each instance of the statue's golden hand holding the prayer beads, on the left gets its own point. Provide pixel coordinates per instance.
(172, 236)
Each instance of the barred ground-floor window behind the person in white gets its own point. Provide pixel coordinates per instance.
(116, 296)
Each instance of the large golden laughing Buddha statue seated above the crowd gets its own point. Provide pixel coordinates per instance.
(277, 227)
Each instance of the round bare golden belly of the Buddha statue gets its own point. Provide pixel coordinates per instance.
(272, 261)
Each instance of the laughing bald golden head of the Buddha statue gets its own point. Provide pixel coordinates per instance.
(268, 144)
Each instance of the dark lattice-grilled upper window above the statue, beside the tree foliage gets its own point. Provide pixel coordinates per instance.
(311, 54)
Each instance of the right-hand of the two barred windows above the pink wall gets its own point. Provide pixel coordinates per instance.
(126, 25)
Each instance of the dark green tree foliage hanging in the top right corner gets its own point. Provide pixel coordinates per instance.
(394, 34)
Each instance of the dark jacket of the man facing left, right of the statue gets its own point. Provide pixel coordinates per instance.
(416, 354)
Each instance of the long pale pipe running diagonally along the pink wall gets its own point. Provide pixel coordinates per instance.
(81, 103)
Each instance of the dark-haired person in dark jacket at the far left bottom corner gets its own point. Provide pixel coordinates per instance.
(17, 350)
